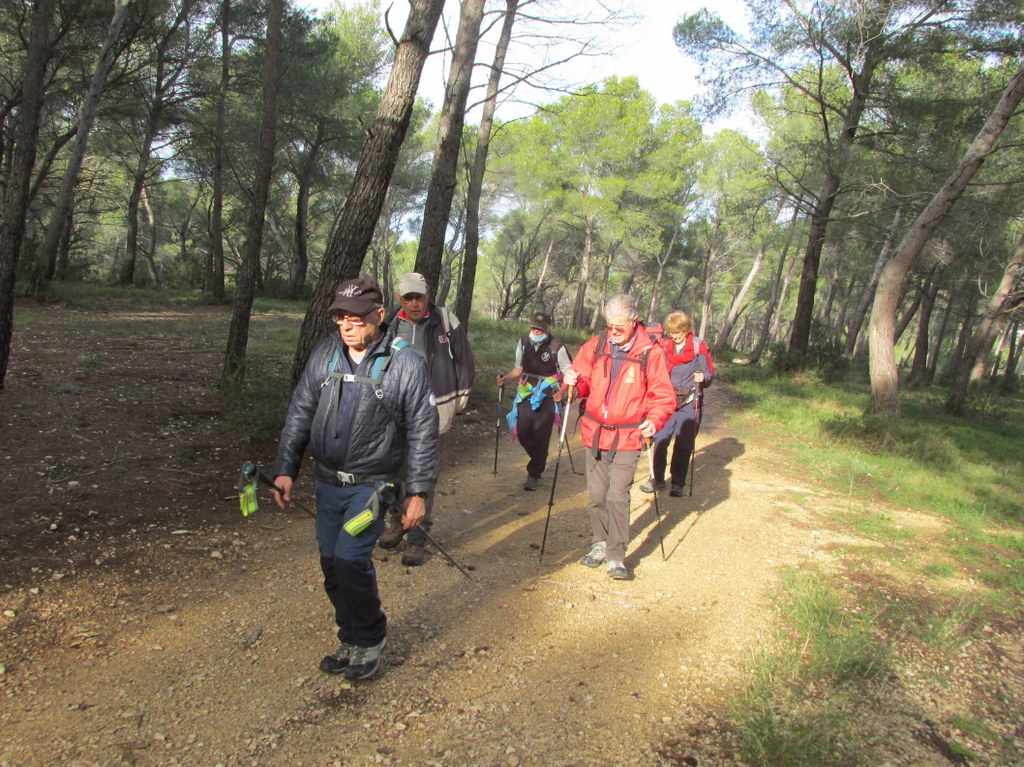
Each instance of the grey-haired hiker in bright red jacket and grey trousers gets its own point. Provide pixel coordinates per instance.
(624, 376)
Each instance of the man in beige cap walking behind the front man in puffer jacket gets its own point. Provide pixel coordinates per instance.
(437, 334)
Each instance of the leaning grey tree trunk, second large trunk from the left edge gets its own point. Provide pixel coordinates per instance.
(47, 259)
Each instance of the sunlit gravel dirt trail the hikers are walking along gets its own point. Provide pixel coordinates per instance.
(201, 647)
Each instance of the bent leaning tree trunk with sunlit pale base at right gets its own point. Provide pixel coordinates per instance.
(885, 381)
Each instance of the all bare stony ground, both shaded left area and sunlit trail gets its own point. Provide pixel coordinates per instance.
(146, 622)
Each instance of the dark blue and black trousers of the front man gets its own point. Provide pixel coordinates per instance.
(350, 577)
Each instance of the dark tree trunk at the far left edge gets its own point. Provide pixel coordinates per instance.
(23, 158)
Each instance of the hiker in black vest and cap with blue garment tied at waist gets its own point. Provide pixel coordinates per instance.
(540, 363)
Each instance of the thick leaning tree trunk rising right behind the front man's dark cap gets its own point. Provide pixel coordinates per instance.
(355, 232)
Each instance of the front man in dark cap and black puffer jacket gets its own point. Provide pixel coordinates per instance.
(363, 407)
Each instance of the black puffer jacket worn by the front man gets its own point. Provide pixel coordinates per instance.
(376, 443)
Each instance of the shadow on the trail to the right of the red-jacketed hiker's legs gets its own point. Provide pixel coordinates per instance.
(710, 483)
